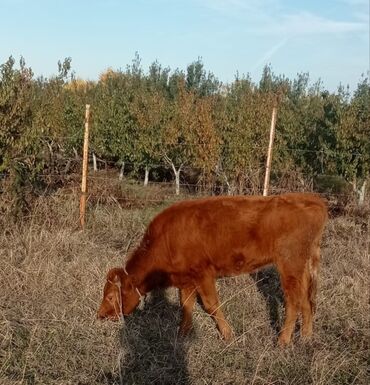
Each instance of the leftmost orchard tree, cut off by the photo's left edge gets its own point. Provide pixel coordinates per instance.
(19, 144)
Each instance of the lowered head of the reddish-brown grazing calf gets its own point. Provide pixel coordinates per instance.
(120, 296)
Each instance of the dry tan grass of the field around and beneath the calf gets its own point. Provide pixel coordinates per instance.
(51, 282)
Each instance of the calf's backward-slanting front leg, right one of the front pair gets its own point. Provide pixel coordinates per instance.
(211, 303)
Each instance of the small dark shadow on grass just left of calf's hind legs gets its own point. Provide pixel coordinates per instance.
(268, 284)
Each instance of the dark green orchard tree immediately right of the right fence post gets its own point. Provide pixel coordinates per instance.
(306, 129)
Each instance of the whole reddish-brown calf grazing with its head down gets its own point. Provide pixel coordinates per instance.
(192, 243)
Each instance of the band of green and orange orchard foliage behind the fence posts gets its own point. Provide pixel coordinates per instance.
(182, 119)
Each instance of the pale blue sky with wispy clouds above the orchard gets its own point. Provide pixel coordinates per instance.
(327, 38)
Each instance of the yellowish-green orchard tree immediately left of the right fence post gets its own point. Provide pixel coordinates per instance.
(244, 130)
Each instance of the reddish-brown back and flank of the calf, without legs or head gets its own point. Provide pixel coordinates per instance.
(234, 234)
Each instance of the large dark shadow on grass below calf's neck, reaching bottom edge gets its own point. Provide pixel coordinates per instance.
(151, 350)
